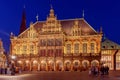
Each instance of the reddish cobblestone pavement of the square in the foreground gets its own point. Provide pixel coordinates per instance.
(114, 75)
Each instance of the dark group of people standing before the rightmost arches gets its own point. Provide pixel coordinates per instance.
(95, 70)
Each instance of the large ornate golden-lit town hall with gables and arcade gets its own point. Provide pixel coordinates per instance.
(70, 44)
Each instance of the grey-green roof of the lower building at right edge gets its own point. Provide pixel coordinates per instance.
(108, 44)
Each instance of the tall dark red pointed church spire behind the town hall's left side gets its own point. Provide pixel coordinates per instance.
(23, 21)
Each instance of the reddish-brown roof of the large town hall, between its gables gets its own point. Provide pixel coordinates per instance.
(68, 24)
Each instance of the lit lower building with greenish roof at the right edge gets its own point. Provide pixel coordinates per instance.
(110, 54)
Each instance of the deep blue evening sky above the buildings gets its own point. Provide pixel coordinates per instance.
(105, 13)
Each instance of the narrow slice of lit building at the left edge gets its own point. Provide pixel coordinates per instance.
(2, 55)
